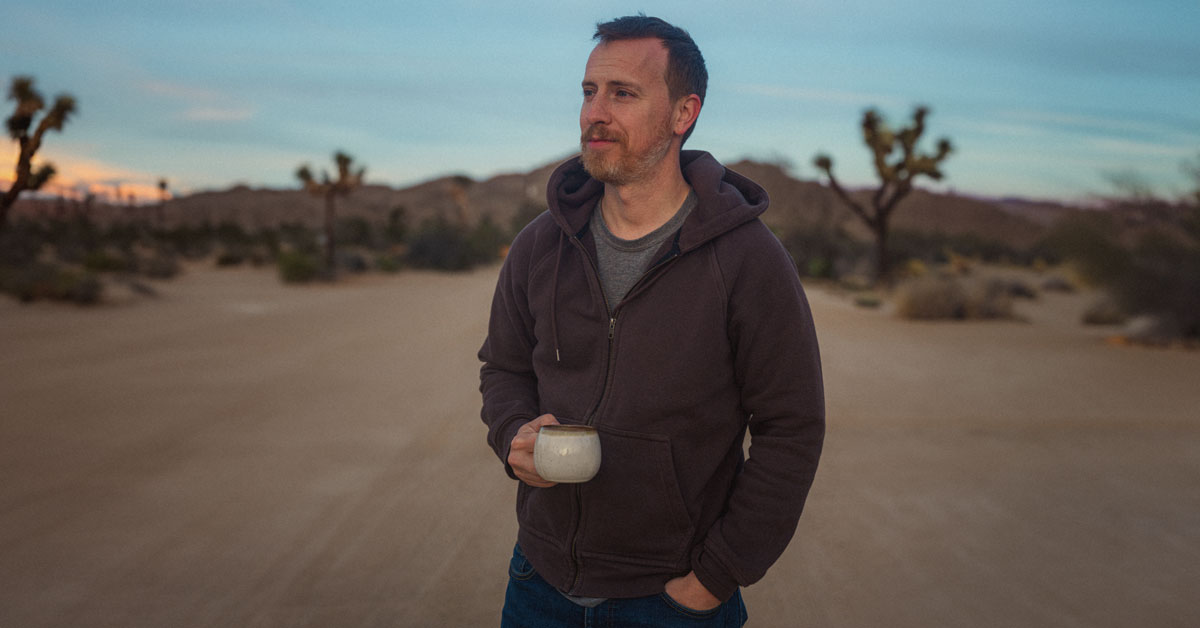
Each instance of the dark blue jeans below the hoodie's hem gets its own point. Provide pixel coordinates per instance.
(532, 603)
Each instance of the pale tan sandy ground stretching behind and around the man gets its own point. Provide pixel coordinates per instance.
(242, 453)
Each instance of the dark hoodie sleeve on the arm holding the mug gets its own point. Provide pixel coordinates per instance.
(507, 378)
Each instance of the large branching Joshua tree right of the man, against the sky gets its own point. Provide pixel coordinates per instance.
(896, 177)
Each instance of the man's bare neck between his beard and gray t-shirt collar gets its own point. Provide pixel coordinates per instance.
(639, 208)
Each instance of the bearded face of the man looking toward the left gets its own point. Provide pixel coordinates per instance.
(627, 121)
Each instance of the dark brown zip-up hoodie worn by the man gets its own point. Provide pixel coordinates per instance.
(716, 338)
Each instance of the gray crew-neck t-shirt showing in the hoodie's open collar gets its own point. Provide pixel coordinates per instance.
(623, 262)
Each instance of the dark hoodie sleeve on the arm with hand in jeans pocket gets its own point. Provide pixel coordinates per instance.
(779, 374)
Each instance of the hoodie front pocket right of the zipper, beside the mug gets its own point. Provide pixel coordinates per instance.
(633, 512)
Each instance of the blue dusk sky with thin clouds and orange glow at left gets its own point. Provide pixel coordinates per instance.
(1042, 99)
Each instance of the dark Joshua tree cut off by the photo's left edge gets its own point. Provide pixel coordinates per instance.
(29, 103)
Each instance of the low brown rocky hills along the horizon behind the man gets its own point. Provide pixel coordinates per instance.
(795, 205)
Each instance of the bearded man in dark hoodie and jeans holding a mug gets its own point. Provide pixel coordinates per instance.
(651, 303)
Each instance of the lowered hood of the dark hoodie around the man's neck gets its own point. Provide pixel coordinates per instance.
(724, 199)
